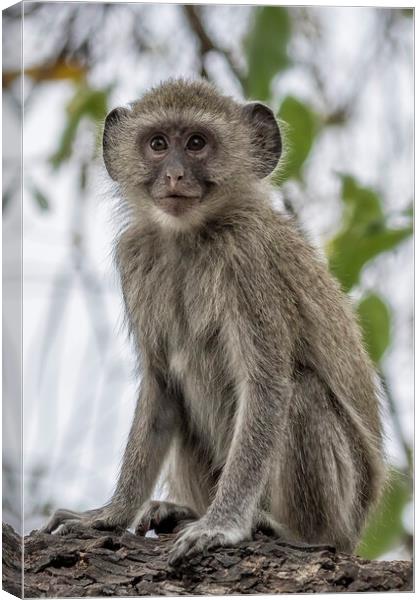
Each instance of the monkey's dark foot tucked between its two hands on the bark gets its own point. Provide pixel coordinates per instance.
(164, 517)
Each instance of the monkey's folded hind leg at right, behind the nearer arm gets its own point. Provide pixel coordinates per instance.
(319, 478)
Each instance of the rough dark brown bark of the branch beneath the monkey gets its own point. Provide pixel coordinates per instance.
(94, 563)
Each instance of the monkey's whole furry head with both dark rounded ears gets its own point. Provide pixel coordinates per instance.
(184, 147)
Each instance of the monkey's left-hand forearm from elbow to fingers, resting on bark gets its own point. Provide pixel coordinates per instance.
(154, 422)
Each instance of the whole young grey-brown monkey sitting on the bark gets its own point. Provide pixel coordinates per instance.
(258, 403)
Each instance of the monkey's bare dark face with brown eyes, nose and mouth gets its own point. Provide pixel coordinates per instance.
(178, 162)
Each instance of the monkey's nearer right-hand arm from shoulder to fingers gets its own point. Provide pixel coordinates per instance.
(259, 346)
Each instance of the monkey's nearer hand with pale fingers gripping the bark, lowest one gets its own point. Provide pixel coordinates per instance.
(199, 537)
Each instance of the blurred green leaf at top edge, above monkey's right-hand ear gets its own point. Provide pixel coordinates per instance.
(266, 49)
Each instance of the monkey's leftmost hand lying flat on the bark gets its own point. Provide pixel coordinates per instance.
(64, 521)
